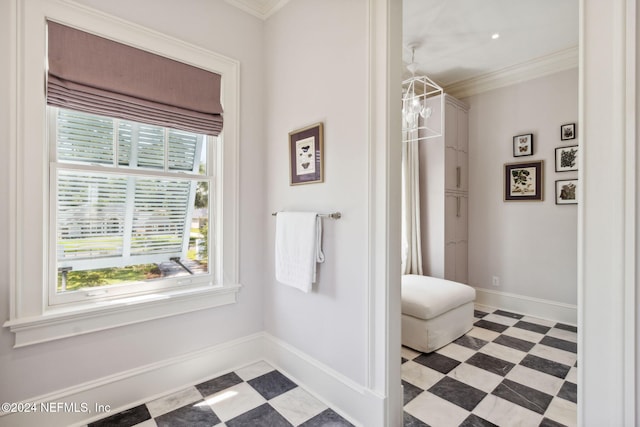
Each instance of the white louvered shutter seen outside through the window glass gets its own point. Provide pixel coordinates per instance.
(95, 227)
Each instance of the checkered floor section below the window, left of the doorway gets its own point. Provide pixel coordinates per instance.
(255, 396)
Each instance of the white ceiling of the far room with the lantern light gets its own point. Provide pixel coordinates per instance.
(453, 37)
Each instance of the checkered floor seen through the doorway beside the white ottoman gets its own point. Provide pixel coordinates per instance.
(509, 370)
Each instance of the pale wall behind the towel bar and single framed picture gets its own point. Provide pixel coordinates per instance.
(317, 71)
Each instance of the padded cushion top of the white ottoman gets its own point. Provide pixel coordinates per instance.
(426, 297)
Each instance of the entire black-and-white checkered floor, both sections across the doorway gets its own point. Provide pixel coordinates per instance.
(509, 370)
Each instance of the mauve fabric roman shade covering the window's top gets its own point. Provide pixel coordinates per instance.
(96, 75)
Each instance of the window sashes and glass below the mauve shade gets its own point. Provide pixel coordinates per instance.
(130, 207)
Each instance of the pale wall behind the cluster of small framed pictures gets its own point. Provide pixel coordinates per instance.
(530, 246)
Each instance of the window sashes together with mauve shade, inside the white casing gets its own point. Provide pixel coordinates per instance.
(129, 175)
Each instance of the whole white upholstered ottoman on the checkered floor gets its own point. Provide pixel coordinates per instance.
(434, 311)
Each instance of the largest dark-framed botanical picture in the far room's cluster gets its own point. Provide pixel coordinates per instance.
(524, 181)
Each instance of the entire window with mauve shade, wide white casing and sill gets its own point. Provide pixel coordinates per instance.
(124, 195)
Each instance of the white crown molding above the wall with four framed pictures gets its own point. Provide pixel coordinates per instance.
(539, 67)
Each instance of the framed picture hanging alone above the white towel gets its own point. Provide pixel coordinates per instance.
(306, 156)
